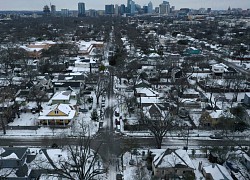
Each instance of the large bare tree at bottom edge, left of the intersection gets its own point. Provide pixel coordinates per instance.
(80, 163)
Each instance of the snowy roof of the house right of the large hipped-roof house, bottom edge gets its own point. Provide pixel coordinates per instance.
(216, 172)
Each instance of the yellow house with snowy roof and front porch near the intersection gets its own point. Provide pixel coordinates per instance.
(57, 115)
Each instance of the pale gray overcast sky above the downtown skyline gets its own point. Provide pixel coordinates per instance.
(99, 4)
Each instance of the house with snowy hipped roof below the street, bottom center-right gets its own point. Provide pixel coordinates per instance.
(172, 164)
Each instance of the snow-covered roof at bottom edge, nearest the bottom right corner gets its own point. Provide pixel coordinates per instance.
(217, 172)
